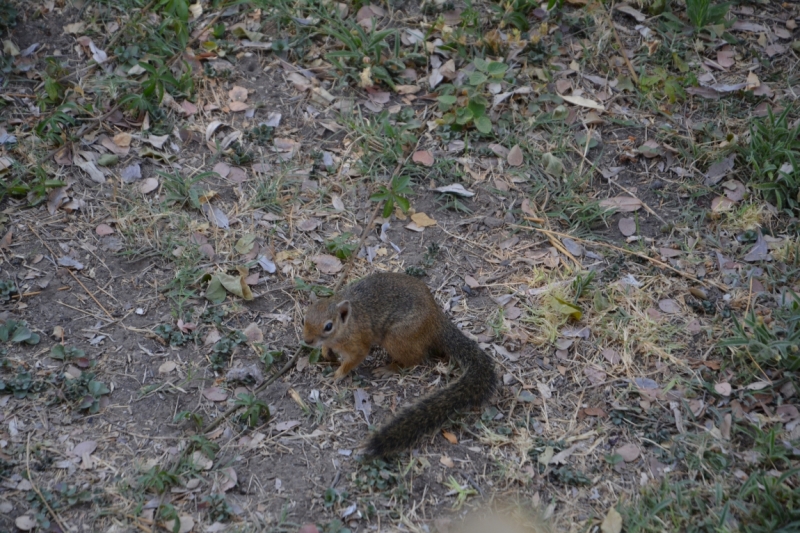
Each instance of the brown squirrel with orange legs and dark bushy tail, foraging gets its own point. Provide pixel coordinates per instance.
(398, 313)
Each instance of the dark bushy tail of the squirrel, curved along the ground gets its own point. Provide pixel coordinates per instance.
(476, 384)
